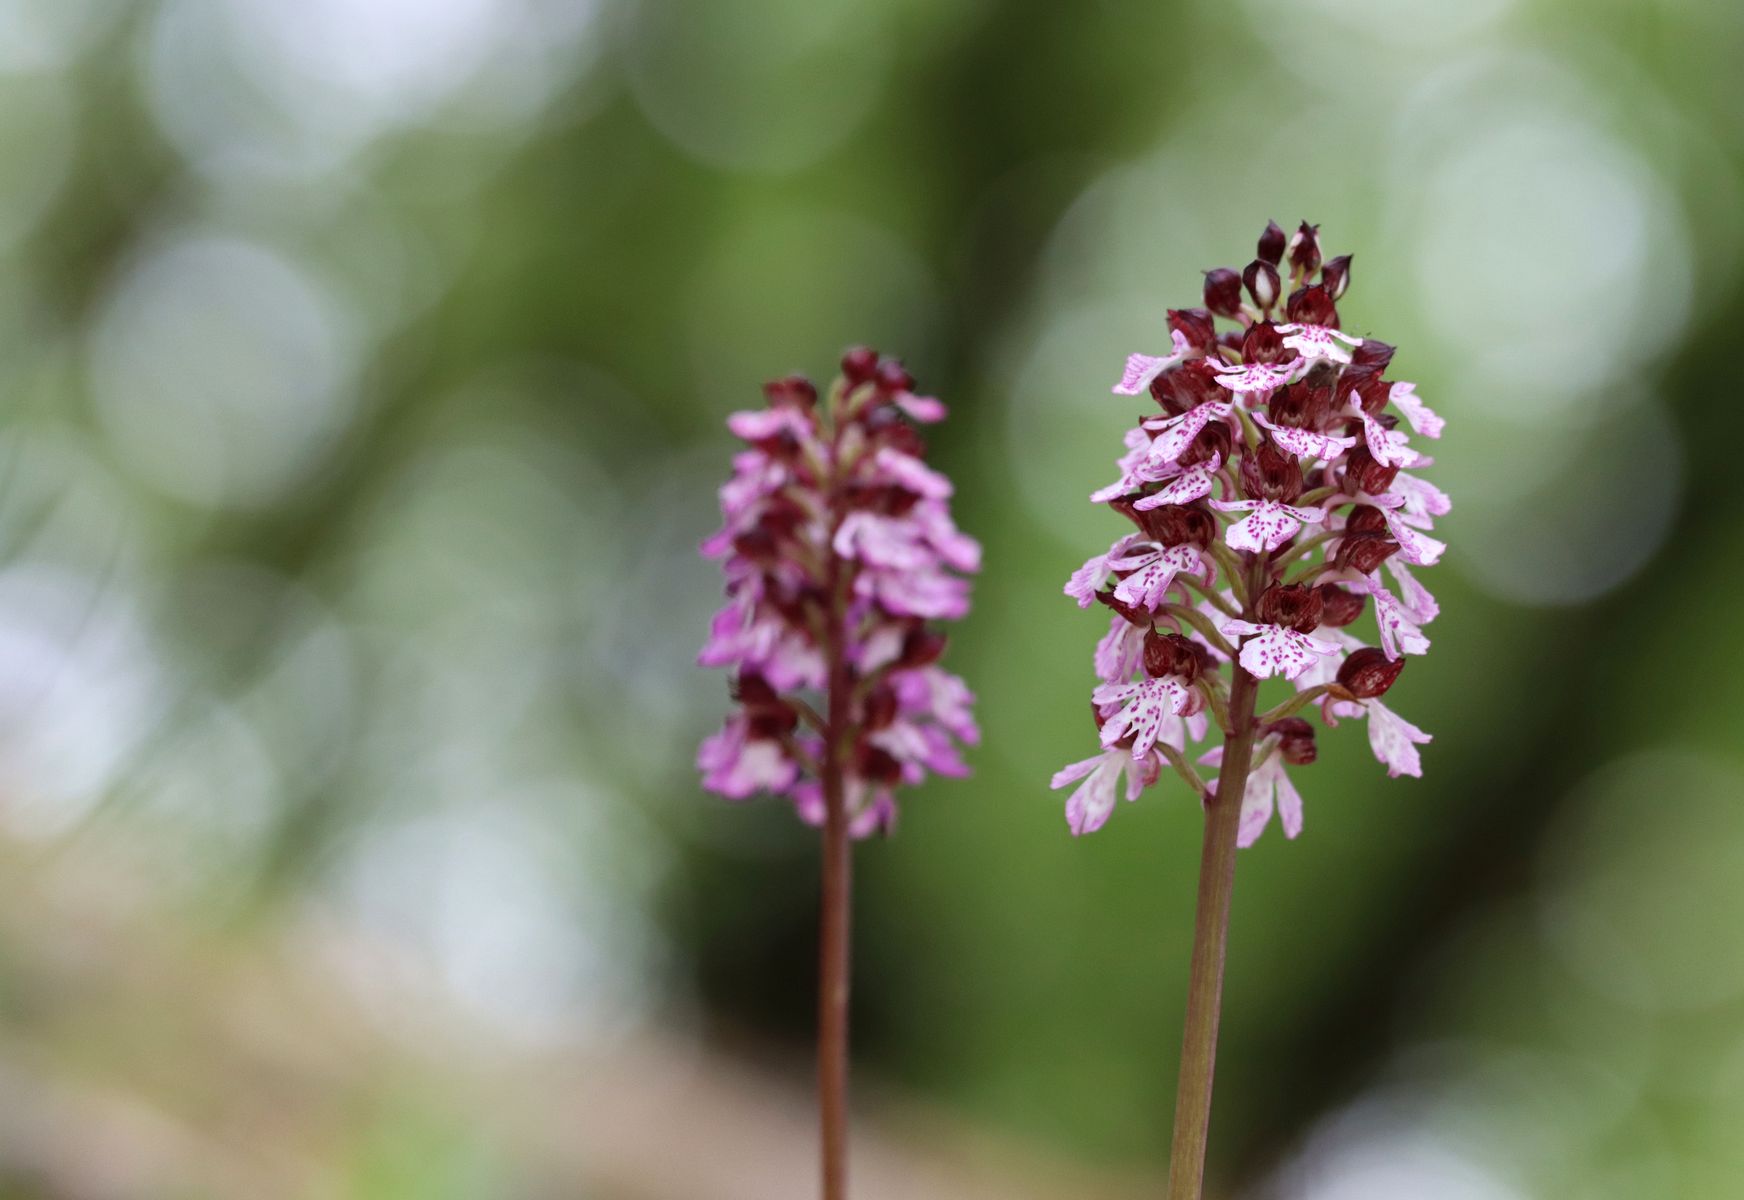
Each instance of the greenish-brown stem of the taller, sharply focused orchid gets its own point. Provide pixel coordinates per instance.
(1211, 937)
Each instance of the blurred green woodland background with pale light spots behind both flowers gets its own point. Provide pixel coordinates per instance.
(365, 367)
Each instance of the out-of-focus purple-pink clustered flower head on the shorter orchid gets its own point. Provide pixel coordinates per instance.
(838, 550)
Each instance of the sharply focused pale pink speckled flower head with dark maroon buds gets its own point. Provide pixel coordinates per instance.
(1276, 512)
